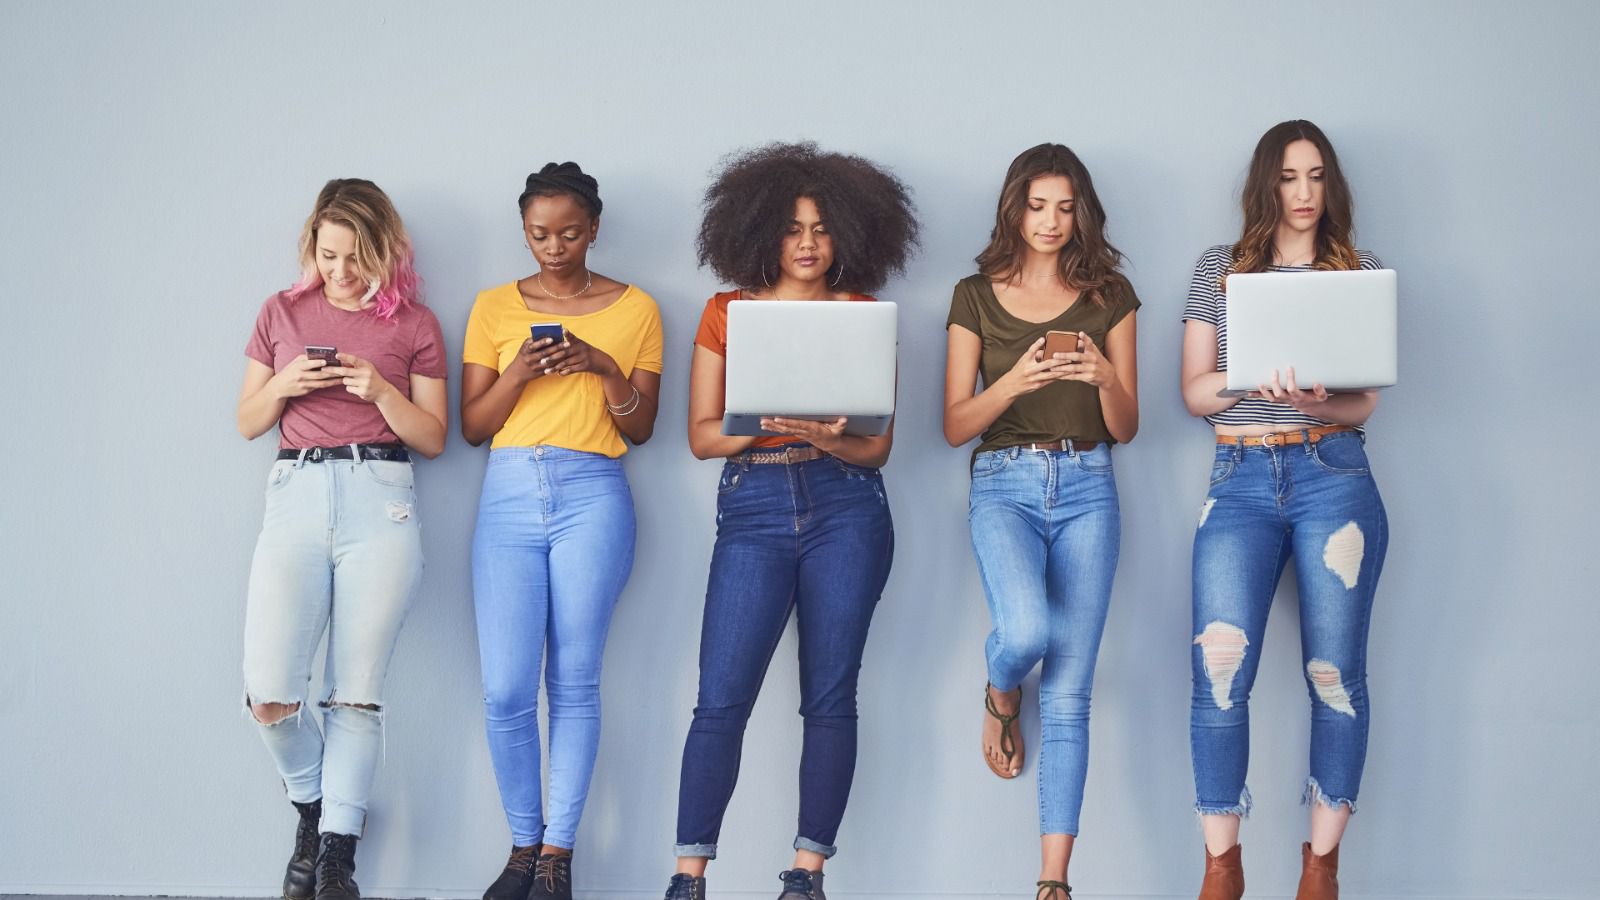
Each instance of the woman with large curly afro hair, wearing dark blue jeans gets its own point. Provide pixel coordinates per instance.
(802, 520)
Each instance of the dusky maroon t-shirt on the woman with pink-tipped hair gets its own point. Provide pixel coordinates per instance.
(404, 345)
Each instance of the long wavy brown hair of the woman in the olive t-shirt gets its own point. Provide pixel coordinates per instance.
(1089, 262)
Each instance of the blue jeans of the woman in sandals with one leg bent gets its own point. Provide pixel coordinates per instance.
(1047, 531)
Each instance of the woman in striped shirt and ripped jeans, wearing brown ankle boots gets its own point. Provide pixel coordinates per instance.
(1297, 219)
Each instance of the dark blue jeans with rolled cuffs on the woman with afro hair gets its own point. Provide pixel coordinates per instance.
(809, 537)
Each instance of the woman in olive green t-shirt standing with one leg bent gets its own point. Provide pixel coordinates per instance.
(1044, 504)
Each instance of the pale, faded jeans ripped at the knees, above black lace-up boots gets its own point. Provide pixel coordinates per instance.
(340, 552)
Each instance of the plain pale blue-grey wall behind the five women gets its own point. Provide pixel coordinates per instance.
(159, 161)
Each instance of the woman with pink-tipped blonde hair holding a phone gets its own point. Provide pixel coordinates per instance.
(351, 368)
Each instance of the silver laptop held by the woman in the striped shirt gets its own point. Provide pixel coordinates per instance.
(1337, 329)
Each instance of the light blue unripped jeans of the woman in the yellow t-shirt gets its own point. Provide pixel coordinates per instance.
(553, 550)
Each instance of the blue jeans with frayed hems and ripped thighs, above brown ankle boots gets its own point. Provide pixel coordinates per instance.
(1318, 504)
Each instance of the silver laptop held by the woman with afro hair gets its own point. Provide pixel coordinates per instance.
(810, 360)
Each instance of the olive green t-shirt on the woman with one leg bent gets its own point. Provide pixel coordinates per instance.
(1062, 409)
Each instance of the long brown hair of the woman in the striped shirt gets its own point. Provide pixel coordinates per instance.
(1335, 246)
